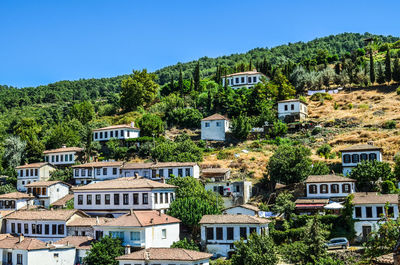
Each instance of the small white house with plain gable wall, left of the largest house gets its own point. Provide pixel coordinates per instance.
(47, 192)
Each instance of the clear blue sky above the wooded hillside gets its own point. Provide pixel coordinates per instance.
(47, 41)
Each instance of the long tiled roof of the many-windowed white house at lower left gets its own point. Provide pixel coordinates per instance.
(38, 215)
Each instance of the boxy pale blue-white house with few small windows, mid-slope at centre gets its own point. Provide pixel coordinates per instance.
(214, 127)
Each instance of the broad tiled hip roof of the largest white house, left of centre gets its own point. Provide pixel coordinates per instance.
(124, 183)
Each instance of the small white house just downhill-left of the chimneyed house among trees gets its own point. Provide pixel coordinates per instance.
(63, 156)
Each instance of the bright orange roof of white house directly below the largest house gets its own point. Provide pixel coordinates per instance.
(141, 219)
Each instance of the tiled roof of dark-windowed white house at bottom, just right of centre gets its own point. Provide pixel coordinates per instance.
(232, 219)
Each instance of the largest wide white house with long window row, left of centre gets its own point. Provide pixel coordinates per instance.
(118, 196)
